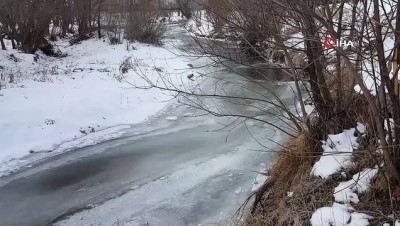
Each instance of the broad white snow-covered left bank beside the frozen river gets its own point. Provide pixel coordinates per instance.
(53, 102)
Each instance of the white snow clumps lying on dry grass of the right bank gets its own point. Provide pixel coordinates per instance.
(337, 156)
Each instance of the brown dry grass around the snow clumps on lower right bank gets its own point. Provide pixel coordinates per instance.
(291, 175)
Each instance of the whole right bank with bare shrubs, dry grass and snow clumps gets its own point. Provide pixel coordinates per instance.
(346, 55)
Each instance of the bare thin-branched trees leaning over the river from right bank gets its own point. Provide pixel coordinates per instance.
(268, 28)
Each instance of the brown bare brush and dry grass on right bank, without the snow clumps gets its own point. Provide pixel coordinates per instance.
(331, 75)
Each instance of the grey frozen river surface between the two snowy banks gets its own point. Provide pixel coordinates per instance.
(181, 167)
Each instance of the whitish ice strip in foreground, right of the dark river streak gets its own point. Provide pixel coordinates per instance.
(147, 204)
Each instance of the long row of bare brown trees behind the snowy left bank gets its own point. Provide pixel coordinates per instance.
(26, 22)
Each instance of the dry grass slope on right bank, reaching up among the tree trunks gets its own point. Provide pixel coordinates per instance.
(290, 195)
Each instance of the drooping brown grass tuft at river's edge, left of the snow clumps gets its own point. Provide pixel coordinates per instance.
(291, 173)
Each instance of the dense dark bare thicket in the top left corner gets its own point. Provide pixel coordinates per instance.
(26, 23)
